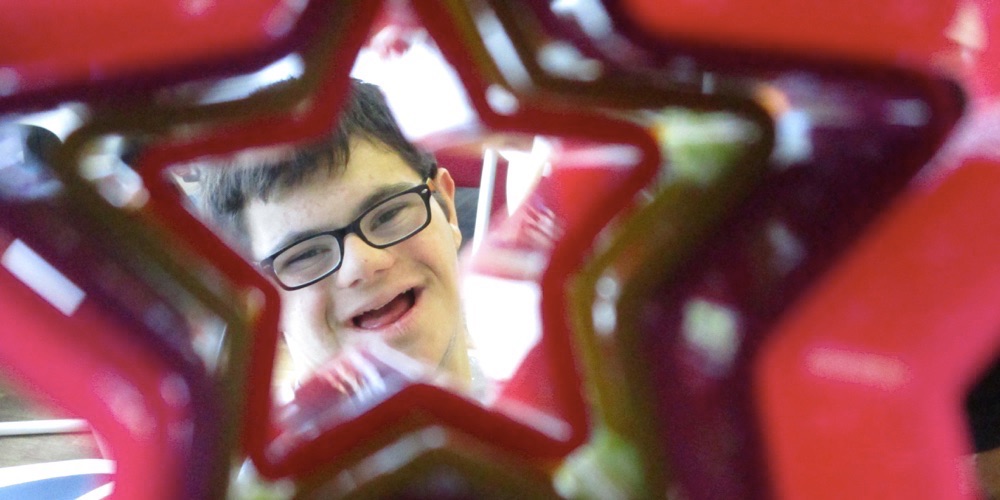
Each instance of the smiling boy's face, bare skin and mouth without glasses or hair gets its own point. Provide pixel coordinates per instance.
(406, 294)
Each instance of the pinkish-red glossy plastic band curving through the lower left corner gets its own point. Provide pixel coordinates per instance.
(97, 371)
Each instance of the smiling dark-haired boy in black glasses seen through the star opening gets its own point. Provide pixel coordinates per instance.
(359, 231)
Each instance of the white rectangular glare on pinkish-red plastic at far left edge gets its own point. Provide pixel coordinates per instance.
(40, 276)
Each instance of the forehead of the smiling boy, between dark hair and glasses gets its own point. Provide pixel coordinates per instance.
(327, 198)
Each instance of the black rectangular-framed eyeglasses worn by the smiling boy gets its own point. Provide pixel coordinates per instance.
(317, 256)
